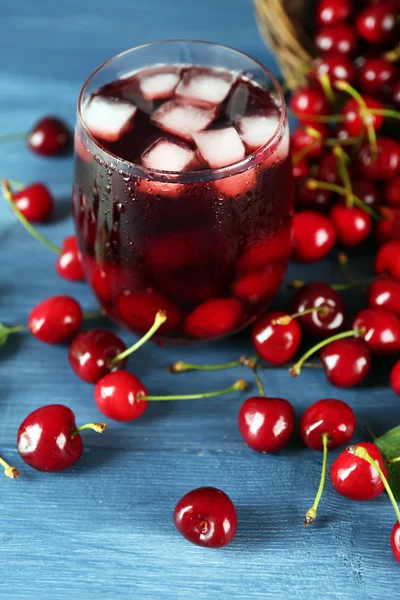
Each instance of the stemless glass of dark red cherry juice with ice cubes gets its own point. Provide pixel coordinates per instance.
(183, 188)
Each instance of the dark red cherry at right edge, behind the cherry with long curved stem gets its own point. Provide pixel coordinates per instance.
(382, 330)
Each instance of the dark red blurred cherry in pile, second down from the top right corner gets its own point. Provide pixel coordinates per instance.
(375, 77)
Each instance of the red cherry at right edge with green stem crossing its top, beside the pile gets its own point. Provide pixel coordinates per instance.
(387, 163)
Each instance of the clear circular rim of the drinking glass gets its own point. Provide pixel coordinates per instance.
(193, 175)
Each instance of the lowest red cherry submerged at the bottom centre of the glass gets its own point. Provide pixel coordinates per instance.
(214, 318)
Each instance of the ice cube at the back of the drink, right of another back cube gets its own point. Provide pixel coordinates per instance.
(205, 86)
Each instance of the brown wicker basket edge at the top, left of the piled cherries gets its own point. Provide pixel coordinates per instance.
(287, 27)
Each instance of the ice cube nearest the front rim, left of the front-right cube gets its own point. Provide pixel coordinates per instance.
(167, 155)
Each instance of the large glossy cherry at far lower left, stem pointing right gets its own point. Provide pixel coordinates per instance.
(44, 439)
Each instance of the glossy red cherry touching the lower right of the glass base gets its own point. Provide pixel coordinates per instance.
(276, 344)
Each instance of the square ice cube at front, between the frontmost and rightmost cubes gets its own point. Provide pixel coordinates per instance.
(220, 147)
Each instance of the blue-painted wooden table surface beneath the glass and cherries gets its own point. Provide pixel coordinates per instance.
(104, 529)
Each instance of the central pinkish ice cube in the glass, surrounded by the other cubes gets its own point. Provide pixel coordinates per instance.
(182, 120)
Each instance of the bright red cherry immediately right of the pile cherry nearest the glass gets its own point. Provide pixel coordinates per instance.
(352, 224)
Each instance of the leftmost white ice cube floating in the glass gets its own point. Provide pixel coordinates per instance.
(108, 118)
